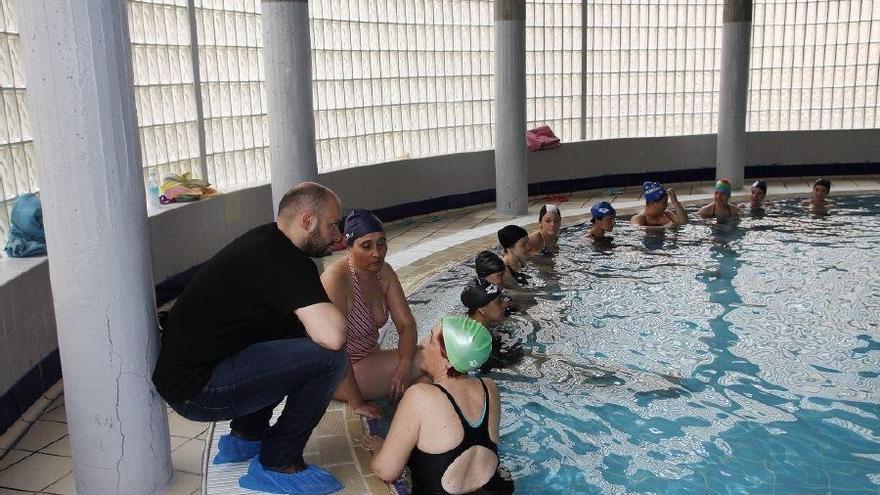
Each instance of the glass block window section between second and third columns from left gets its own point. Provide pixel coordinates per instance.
(400, 79)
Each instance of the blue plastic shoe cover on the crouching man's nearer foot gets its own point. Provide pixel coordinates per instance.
(312, 481)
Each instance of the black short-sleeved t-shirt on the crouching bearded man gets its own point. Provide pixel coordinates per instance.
(244, 295)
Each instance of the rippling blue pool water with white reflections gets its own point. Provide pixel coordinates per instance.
(706, 359)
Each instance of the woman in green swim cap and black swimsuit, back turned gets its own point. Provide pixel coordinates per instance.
(457, 416)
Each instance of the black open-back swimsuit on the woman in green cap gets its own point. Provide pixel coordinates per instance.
(428, 469)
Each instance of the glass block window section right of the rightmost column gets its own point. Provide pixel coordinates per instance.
(814, 65)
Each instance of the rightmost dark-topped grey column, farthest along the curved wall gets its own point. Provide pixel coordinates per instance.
(733, 100)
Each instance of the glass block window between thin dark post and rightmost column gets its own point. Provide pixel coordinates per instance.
(652, 68)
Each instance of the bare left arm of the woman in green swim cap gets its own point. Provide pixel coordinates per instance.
(403, 435)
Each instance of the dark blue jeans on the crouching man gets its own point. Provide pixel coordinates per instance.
(247, 386)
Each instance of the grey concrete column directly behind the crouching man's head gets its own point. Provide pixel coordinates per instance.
(287, 62)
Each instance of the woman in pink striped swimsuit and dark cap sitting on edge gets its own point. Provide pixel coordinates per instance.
(367, 291)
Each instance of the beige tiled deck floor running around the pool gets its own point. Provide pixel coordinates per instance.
(419, 247)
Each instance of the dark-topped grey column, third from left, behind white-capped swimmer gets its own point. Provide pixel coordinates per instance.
(511, 172)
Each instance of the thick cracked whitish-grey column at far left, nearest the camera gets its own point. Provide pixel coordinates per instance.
(77, 60)
